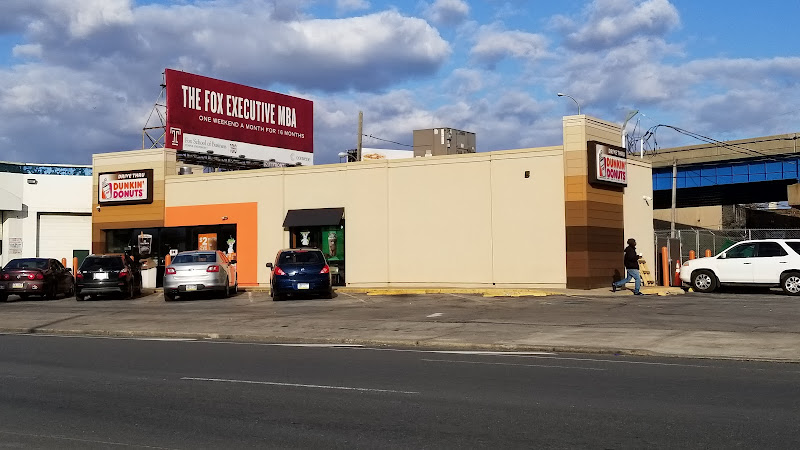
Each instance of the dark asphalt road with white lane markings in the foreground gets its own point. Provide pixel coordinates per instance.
(79, 392)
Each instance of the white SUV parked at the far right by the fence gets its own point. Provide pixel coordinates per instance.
(764, 262)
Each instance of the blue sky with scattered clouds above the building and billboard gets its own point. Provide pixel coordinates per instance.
(79, 77)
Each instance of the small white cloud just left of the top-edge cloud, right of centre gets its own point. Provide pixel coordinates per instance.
(493, 44)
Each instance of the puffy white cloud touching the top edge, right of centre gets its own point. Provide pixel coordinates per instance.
(613, 22)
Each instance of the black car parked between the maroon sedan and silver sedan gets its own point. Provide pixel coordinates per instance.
(108, 274)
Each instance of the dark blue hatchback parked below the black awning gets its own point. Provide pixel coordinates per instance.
(300, 271)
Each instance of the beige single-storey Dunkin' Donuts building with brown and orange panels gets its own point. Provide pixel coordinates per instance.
(513, 218)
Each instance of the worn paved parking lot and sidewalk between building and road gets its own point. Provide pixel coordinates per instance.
(736, 327)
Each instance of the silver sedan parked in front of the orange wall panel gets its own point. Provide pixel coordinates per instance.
(200, 270)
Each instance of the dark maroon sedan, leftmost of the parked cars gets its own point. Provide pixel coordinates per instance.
(35, 276)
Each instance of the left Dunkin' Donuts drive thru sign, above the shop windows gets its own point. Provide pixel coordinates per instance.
(125, 188)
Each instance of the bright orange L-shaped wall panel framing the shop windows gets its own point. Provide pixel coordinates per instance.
(244, 215)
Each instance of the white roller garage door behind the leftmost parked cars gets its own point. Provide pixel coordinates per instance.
(59, 235)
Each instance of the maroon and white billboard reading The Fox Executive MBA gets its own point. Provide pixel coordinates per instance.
(205, 115)
